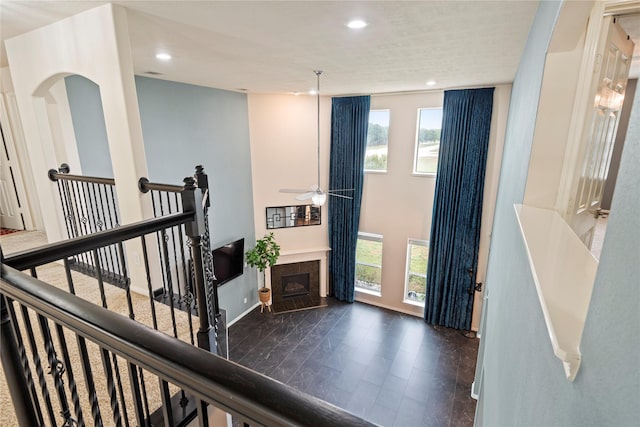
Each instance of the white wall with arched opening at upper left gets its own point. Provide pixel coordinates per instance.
(40, 58)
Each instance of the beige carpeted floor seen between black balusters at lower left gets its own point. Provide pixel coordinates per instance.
(87, 288)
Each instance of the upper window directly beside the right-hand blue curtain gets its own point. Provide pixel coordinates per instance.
(428, 141)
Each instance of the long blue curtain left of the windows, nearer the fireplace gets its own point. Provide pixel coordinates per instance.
(349, 124)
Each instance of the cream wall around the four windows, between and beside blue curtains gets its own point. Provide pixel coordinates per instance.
(398, 204)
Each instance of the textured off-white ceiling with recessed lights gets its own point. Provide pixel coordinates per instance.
(274, 46)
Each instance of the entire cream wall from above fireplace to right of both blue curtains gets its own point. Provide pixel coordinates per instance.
(396, 204)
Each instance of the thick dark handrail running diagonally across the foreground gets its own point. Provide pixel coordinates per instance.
(255, 398)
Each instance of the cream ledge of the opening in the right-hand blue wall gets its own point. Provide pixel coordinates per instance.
(563, 270)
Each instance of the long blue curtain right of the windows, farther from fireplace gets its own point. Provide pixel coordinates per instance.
(457, 207)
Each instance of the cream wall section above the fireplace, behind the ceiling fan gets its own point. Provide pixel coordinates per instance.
(284, 155)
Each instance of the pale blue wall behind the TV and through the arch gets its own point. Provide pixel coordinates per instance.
(183, 126)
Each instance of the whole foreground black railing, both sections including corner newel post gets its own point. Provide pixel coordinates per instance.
(91, 365)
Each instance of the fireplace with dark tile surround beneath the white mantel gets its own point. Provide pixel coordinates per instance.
(295, 285)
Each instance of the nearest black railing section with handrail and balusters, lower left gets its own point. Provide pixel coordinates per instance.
(71, 325)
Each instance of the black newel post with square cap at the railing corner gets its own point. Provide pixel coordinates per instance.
(192, 201)
